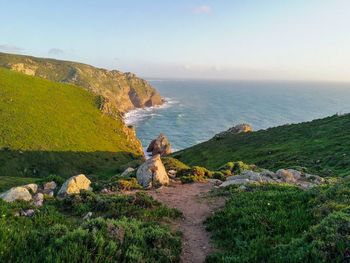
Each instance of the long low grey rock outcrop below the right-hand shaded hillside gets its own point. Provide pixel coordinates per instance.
(302, 180)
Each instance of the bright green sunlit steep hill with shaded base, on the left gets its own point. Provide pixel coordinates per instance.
(49, 127)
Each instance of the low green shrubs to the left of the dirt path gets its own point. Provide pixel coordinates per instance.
(122, 229)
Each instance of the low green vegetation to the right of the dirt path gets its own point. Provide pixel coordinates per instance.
(282, 223)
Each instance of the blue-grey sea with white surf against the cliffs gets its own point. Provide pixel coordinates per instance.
(197, 110)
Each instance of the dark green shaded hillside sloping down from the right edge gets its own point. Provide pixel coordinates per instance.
(322, 146)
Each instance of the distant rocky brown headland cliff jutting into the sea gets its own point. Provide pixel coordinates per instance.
(124, 91)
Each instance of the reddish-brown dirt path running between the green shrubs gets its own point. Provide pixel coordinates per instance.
(192, 201)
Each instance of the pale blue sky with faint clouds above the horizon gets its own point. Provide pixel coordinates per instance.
(203, 39)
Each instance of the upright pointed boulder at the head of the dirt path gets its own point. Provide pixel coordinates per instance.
(152, 172)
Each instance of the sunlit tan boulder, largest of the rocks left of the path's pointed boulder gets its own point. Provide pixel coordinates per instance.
(74, 184)
